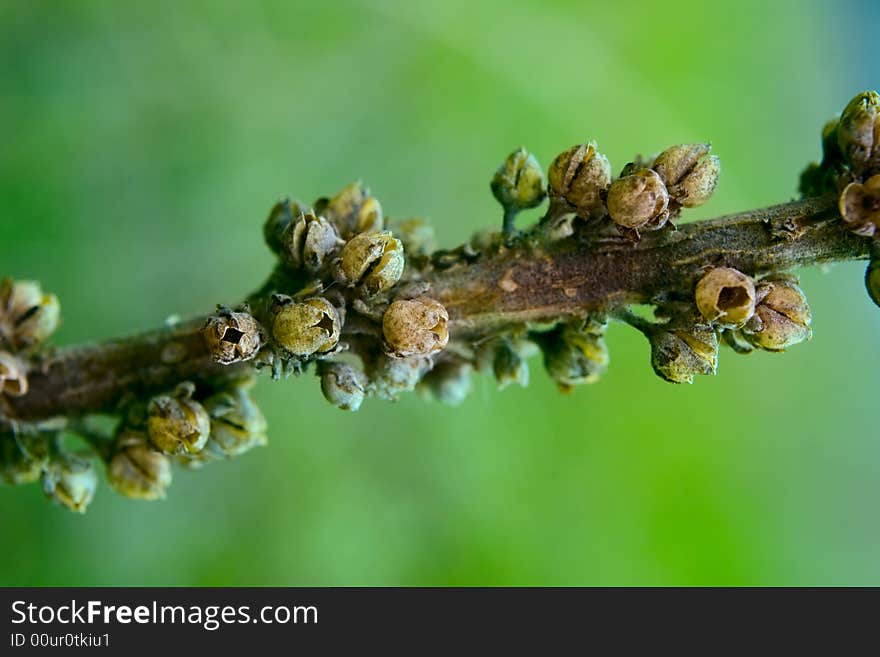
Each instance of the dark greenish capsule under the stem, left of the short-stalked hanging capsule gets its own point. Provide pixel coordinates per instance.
(575, 355)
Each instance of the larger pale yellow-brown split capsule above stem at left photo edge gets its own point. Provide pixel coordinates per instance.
(27, 315)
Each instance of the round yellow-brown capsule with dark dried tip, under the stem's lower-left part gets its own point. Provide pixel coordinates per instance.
(177, 423)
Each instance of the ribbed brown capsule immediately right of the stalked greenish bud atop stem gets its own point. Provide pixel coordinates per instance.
(579, 176)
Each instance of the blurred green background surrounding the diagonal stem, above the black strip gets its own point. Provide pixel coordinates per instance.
(143, 144)
